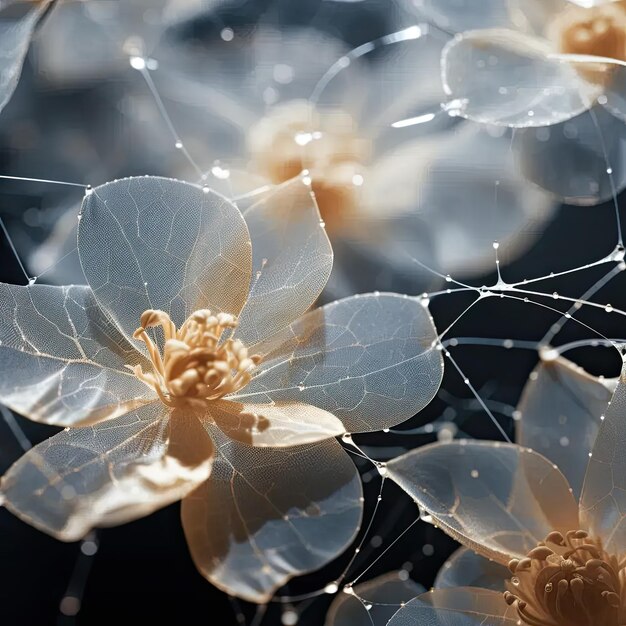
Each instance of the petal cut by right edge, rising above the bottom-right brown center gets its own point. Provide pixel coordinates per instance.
(602, 508)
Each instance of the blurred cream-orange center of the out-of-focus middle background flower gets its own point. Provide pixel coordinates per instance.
(295, 136)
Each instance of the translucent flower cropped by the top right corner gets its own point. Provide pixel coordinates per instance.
(555, 72)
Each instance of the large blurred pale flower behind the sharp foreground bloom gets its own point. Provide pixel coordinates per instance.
(438, 193)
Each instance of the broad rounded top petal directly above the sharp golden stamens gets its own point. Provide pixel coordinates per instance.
(157, 243)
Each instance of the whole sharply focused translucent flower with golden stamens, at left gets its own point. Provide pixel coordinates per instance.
(189, 368)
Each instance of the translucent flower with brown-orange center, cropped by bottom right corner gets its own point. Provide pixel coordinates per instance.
(560, 535)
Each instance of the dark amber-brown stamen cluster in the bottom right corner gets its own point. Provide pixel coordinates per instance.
(568, 581)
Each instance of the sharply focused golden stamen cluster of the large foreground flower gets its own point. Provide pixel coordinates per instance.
(197, 364)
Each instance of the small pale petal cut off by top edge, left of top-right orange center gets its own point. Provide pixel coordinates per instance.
(460, 15)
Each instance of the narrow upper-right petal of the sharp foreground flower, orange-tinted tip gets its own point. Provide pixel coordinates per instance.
(291, 260)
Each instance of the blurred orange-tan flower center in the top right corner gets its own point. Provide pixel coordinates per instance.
(598, 31)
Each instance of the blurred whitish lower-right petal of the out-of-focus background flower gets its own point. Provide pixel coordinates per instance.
(466, 187)
